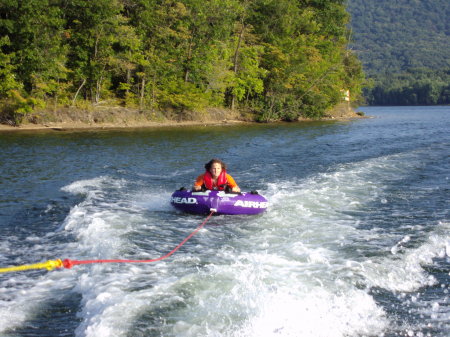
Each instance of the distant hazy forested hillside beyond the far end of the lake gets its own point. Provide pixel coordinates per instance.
(404, 46)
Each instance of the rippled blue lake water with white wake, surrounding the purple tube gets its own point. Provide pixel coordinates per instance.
(356, 240)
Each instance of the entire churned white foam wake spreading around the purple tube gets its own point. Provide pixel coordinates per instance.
(286, 273)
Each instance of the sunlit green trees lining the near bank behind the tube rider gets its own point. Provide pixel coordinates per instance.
(276, 59)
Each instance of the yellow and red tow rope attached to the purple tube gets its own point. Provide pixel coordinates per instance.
(66, 263)
